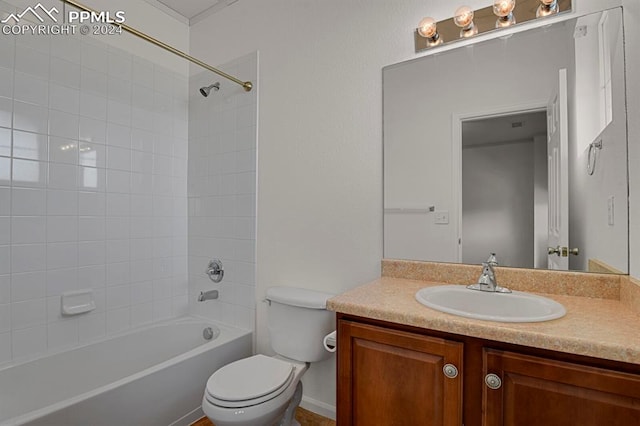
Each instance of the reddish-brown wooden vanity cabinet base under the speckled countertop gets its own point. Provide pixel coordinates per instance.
(390, 374)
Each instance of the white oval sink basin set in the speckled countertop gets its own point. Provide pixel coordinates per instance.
(503, 307)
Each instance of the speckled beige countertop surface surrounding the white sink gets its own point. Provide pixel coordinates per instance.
(597, 327)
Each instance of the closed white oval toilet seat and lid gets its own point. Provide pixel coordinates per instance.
(250, 381)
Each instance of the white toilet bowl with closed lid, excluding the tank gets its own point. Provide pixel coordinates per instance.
(254, 391)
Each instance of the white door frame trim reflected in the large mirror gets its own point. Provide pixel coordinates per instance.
(456, 148)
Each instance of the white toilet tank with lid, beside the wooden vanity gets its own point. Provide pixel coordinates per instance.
(298, 321)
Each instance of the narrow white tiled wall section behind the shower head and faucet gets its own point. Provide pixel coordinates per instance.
(222, 193)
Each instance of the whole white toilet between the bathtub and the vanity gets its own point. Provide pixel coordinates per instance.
(265, 391)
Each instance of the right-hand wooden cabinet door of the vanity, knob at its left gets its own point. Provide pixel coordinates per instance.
(538, 391)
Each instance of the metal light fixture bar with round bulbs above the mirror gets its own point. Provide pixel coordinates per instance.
(484, 21)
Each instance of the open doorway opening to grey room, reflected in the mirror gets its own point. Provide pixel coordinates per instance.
(505, 203)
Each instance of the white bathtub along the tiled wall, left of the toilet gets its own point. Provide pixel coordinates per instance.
(154, 375)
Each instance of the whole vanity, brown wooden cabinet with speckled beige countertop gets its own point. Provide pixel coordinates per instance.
(402, 363)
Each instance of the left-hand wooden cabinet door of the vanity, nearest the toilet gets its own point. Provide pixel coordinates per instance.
(389, 377)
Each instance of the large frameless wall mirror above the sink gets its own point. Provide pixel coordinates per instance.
(515, 145)
